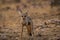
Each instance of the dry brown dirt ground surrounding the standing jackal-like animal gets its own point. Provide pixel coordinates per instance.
(46, 20)
